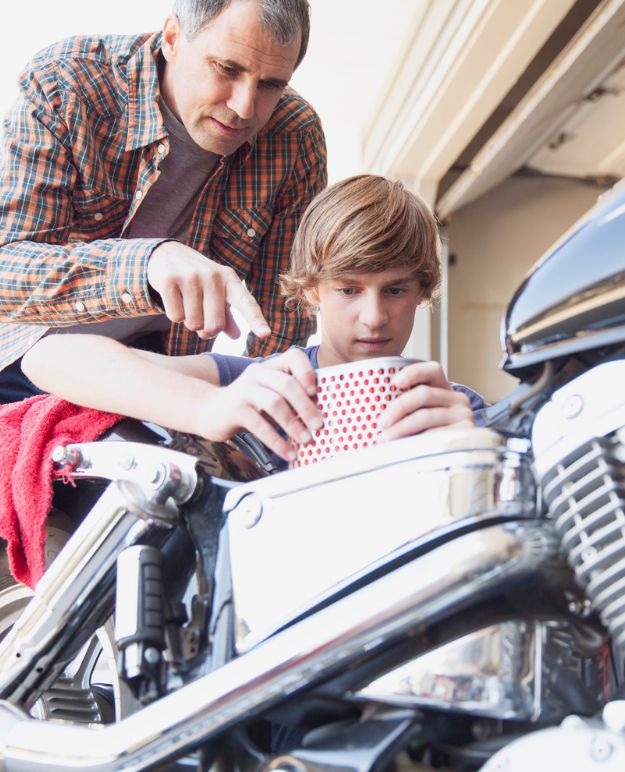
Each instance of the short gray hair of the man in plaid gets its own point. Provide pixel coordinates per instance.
(283, 19)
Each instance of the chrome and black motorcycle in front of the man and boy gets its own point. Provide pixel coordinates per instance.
(454, 600)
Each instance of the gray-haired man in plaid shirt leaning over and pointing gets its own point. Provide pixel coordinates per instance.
(145, 177)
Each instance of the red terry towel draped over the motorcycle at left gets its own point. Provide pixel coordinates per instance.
(29, 432)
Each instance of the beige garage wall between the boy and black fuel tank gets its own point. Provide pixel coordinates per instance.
(495, 241)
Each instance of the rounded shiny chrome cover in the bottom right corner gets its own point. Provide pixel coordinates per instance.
(578, 744)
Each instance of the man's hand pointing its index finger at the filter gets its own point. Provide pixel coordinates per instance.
(199, 292)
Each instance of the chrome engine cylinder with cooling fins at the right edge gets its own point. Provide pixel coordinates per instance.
(580, 461)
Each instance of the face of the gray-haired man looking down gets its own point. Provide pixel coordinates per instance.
(225, 83)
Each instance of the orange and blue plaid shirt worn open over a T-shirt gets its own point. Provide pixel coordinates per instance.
(82, 147)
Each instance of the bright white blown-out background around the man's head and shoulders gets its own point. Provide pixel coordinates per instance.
(353, 46)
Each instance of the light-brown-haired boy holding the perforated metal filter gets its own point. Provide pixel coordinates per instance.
(366, 255)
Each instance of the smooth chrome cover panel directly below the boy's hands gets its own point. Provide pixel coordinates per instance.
(301, 536)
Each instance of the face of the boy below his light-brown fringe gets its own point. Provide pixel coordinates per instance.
(366, 315)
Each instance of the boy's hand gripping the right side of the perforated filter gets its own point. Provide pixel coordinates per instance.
(427, 402)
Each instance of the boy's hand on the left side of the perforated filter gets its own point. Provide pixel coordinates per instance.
(267, 394)
